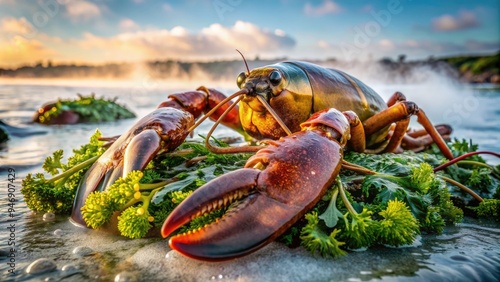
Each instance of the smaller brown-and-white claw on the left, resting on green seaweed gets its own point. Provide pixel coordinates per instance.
(162, 130)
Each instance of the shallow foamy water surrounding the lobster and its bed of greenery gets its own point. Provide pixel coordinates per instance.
(469, 251)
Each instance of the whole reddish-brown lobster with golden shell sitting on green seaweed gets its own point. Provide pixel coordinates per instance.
(328, 110)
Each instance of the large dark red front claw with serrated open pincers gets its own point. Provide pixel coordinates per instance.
(298, 171)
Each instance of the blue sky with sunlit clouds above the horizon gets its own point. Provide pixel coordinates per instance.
(102, 31)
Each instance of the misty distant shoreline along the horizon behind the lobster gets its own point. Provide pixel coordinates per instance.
(468, 69)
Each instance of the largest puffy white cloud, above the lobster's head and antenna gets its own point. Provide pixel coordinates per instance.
(179, 43)
